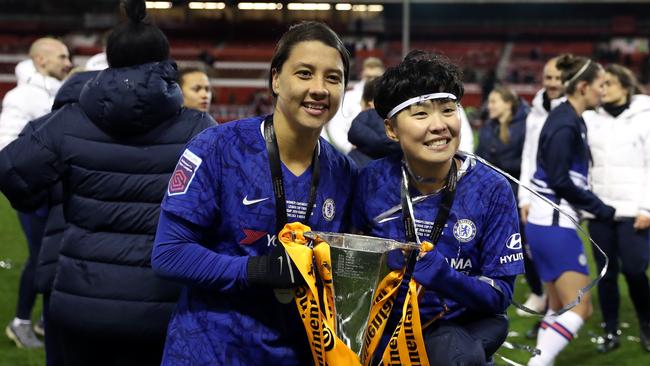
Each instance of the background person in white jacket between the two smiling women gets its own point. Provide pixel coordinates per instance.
(336, 130)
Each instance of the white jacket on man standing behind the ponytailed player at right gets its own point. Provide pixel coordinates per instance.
(534, 123)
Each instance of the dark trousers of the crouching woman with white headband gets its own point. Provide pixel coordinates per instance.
(468, 341)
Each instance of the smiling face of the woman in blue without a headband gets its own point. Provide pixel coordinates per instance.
(309, 86)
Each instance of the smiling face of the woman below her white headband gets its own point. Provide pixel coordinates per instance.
(429, 134)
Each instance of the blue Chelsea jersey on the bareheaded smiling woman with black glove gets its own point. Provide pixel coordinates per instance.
(222, 183)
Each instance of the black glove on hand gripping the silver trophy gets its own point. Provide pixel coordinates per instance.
(274, 270)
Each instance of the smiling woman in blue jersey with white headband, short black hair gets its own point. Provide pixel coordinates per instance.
(464, 208)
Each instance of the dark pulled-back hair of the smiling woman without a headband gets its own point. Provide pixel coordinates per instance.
(302, 32)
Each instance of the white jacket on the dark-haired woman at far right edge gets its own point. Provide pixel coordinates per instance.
(620, 149)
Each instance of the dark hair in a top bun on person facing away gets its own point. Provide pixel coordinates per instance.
(136, 41)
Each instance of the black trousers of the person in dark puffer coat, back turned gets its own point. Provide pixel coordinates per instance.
(84, 349)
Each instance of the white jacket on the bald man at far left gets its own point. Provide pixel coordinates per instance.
(27, 101)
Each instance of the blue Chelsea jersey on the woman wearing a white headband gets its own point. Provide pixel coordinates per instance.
(481, 236)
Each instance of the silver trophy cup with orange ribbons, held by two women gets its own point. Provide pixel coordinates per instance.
(359, 263)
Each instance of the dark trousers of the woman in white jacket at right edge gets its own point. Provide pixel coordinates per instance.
(629, 252)
